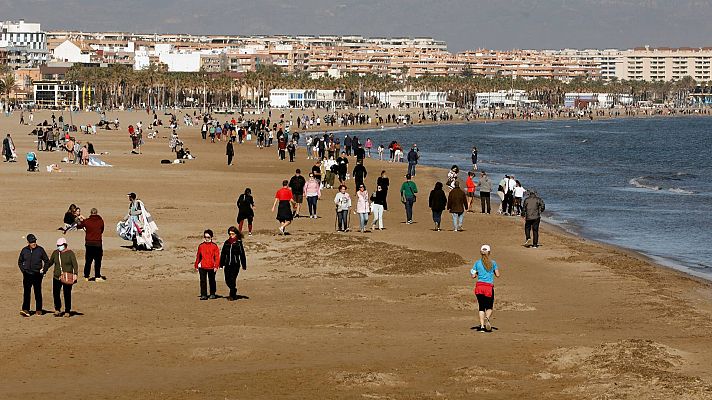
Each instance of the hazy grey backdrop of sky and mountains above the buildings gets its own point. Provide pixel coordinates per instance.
(464, 24)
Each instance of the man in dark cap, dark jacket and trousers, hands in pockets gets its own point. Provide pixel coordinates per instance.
(32, 260)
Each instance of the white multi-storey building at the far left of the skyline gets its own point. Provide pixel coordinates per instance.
(24, 44)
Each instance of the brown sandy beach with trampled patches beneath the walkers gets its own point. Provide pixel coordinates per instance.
(381, 315)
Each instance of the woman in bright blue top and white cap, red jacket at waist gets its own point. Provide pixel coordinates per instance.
(485, 270)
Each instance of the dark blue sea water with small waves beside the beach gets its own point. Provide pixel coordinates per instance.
(643, 184)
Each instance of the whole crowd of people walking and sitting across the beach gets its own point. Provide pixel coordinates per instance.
(332, 156)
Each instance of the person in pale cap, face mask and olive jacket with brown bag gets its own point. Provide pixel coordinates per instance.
(65, 263)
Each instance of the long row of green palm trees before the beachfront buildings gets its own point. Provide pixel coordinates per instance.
(154, 86)
